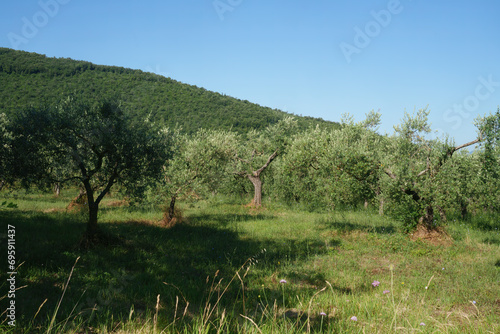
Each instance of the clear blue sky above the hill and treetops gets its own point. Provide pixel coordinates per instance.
(318, 58)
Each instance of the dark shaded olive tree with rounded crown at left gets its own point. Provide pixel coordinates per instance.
(94, 144)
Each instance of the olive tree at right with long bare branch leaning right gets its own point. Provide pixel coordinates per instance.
(414, 168)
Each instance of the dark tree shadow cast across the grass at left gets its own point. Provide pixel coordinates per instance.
(179, 264)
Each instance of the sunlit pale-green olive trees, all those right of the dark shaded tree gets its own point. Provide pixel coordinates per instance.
(413, 177)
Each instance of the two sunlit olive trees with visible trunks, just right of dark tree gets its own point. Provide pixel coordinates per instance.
(212, 161)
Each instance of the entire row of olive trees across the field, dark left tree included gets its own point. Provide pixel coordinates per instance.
(98, 145)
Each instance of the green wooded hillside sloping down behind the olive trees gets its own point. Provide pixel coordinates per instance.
(34, 79)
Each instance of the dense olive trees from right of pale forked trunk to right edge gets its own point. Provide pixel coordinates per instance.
(410, 174)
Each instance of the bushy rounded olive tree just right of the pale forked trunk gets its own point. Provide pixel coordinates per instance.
(332, 168)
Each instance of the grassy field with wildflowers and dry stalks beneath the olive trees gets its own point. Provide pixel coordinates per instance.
(228, 268)
